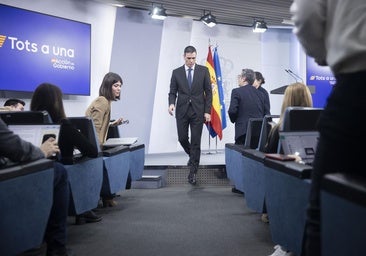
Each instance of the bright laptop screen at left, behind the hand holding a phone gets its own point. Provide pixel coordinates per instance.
(36, 133)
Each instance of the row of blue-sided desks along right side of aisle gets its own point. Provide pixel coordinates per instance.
(282, 189)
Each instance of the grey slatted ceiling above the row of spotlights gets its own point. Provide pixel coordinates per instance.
(232, 12)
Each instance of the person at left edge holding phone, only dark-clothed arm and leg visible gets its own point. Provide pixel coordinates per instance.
(15, 149)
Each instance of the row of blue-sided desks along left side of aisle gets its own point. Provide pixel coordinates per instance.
(26, 192)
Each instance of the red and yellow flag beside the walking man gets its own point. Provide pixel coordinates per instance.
(215, 127)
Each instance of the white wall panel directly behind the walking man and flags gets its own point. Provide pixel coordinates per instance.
(238, 48)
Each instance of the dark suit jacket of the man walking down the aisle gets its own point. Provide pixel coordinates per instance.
(200, 96)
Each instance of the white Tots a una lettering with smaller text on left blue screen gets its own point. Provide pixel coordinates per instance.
(61, 56)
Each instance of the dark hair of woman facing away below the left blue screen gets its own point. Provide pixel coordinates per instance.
(49, 97)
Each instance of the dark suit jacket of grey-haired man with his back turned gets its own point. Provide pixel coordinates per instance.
(246, 102)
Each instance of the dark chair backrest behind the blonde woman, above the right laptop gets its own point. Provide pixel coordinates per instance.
(300, 119)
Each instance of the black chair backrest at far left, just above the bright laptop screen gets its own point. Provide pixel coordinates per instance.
(25, 117)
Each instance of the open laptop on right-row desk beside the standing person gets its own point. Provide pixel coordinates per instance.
(302, 144)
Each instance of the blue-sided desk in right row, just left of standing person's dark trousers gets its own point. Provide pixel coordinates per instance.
(287, 196)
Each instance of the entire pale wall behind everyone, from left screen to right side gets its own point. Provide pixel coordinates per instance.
(145, 51)
